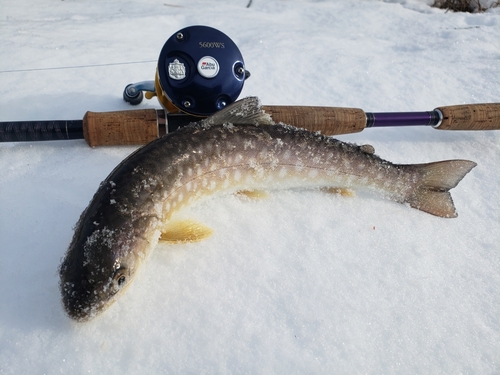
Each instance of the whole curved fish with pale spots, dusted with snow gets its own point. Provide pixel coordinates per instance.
(238, 149)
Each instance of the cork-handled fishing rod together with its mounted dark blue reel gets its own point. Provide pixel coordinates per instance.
(200, 71)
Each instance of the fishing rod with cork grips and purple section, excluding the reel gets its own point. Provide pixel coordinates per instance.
(136, 127)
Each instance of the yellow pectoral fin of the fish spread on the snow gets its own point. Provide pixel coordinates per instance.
(177, 231)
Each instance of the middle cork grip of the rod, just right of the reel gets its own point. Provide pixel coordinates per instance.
(327, 120)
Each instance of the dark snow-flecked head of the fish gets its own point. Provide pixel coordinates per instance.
(96, 269)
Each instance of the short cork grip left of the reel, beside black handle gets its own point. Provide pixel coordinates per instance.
(120, 127)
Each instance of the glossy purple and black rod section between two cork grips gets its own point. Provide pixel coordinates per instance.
(401, 119)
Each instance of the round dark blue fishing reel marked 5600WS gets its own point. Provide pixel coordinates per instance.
(200, 71)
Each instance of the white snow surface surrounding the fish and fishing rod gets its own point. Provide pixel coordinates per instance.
(301, 282)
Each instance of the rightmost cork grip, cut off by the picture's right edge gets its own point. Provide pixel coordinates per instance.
(470, 117)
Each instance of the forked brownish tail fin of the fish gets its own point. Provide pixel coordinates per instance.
(432, 194)
